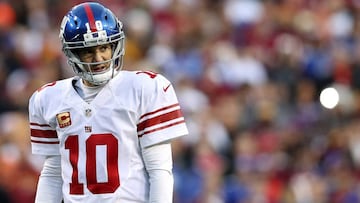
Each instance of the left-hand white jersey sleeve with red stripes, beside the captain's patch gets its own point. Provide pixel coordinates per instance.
(44, 139)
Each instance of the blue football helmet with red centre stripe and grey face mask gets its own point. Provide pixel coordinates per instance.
(92, 24)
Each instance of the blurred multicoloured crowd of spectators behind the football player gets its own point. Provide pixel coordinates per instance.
(248, 74)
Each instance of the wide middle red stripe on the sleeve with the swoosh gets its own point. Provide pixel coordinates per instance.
(159, 119)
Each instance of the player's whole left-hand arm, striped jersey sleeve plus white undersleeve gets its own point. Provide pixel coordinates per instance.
(44, 141)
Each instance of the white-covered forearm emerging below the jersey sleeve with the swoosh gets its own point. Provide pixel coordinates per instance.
(158, 163)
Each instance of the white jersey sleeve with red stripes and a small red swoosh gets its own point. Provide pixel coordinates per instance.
(161, 118)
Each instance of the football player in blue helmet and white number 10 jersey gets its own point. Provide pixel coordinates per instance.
(106, 133)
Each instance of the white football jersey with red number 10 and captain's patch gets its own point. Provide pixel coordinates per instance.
(100, 143)
